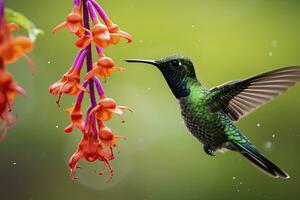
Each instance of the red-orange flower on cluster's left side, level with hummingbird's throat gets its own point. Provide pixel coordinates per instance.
(68, 84)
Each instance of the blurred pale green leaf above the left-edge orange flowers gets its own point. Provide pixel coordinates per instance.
(20, 19)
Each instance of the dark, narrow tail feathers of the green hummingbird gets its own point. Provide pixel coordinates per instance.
(252, 154)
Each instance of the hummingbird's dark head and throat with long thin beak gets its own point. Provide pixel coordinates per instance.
(177, 70)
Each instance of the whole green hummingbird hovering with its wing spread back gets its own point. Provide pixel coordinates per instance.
(209, 114)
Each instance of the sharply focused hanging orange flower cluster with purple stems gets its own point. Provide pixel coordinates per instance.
(98, 140)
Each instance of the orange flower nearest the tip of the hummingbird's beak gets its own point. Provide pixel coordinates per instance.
(103, 68)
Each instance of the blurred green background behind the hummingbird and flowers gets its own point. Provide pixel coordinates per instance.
(226, 40)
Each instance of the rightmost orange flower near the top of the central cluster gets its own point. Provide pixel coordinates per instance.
(115, 33)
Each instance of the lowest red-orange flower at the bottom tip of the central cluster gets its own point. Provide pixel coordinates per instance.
(90, 148)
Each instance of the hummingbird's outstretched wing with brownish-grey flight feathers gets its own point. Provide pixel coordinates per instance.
(238, 98)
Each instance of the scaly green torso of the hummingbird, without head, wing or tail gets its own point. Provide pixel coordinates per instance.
(210, 128)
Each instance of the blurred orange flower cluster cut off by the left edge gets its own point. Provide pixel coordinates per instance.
(11, 49)
